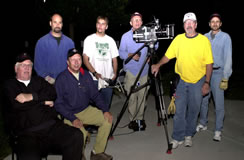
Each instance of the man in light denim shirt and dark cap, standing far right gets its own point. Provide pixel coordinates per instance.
(222, 70)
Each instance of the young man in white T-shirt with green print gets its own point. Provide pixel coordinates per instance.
(100, 57)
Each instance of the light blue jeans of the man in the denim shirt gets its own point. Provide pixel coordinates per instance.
(218, 95)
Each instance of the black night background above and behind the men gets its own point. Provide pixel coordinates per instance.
(27, 21)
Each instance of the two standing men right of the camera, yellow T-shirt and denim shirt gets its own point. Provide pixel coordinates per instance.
(204, 64)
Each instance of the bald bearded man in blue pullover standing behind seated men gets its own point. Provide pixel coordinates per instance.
(51, 51)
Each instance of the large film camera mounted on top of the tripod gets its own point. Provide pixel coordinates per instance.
(153, 32)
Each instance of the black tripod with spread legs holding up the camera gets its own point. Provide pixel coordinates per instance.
(162, 115)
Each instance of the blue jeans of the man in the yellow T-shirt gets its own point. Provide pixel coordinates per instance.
(188, 101)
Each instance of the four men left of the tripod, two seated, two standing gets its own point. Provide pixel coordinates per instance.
(62, 86)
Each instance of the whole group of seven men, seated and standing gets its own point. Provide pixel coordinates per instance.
(82, 97)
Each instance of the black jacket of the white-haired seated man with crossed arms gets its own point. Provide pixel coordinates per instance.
(23, 117)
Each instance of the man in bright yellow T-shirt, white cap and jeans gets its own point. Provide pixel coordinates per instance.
(194, 62)
